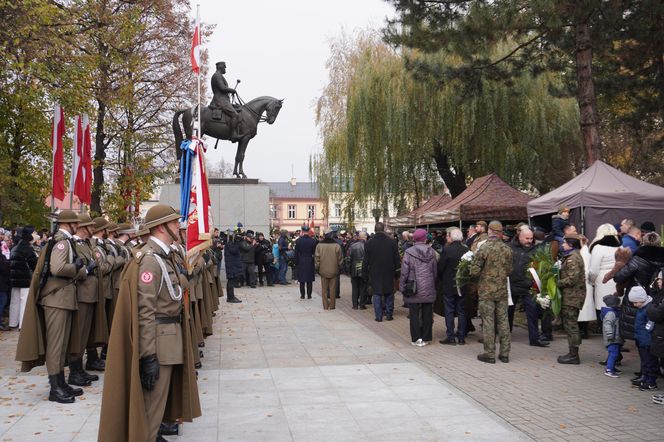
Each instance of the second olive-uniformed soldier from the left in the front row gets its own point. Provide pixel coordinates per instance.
(87, 294)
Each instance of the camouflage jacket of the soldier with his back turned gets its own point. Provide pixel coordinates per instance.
(491, 265)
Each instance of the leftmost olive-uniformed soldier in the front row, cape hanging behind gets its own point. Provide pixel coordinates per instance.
(58, 299)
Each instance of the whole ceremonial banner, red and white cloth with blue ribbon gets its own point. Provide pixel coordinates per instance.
(197, 207)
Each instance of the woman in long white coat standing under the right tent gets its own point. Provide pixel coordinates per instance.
(602, 259)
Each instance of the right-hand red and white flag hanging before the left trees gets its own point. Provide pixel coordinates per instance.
(81, 177)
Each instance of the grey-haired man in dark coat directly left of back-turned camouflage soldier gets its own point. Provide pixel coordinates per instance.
(452, 296)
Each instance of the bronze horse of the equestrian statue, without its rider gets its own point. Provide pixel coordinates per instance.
(250, 114)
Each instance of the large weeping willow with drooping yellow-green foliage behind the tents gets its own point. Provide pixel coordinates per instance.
(391, 138)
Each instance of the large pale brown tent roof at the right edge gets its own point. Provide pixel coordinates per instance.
(600, 186)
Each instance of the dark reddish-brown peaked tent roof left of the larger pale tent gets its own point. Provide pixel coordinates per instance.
(486, 197)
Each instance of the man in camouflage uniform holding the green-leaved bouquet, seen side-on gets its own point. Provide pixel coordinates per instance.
(573, 287)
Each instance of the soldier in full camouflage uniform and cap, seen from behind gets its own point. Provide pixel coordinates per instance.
(491, 265)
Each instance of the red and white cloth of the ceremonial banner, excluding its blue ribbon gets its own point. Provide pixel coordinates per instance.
(199, 219)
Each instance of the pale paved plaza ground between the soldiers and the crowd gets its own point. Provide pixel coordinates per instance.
(281, 369)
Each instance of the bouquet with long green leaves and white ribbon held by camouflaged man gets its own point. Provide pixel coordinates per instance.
(544, 272)
